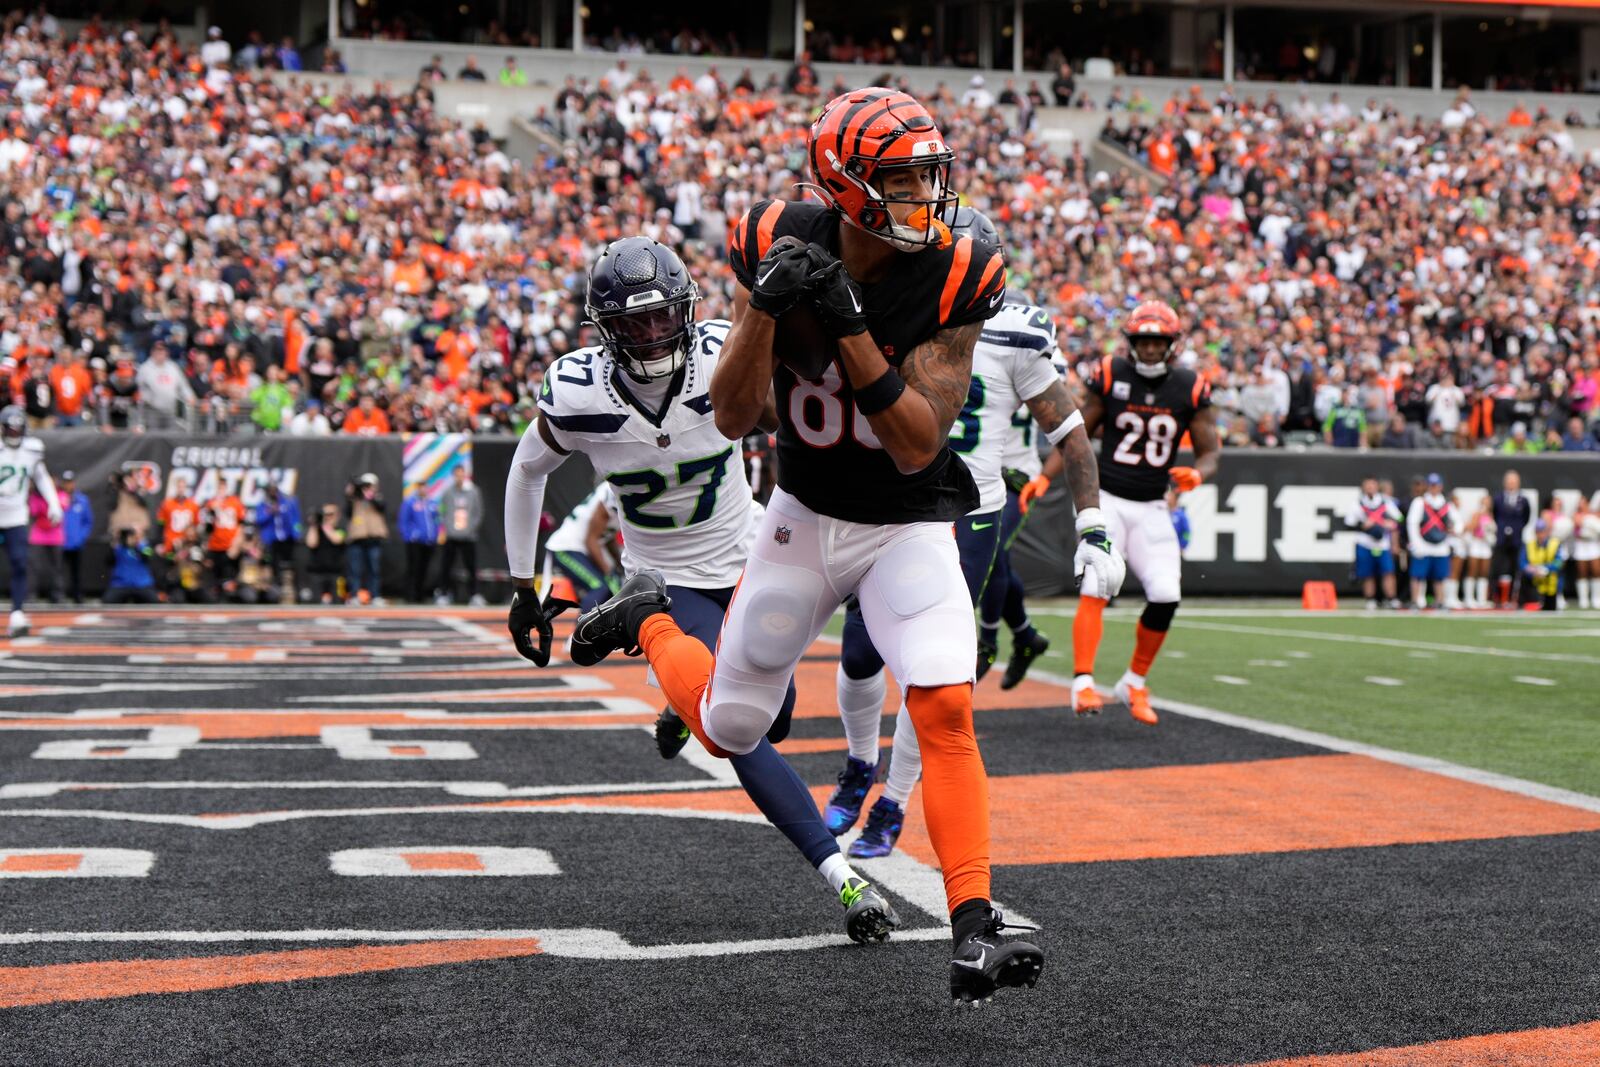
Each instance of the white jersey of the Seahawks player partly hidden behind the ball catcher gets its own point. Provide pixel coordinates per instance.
(1010, 366)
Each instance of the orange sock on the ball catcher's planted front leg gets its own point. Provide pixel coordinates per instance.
(954, 789)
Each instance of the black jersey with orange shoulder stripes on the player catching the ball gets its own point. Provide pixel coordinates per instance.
(828, 457)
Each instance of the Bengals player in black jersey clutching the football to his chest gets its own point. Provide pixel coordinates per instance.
(868, 487)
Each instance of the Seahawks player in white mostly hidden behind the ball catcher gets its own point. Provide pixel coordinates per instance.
(1012, 366)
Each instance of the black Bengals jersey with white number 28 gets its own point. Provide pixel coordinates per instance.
(1145, 423)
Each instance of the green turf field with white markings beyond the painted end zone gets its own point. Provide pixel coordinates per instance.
(1510, 693)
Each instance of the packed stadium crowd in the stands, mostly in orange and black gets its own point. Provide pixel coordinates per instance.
(196, 244)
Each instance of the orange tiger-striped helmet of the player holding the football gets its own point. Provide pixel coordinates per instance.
(865, 134)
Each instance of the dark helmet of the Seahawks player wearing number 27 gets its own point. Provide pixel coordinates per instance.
(642, 302)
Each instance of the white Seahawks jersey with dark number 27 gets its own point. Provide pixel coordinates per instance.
(681, 490)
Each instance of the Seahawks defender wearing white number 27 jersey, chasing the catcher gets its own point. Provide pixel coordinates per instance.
(638, 407)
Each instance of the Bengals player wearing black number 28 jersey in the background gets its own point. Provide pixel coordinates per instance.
(1145, 406)
